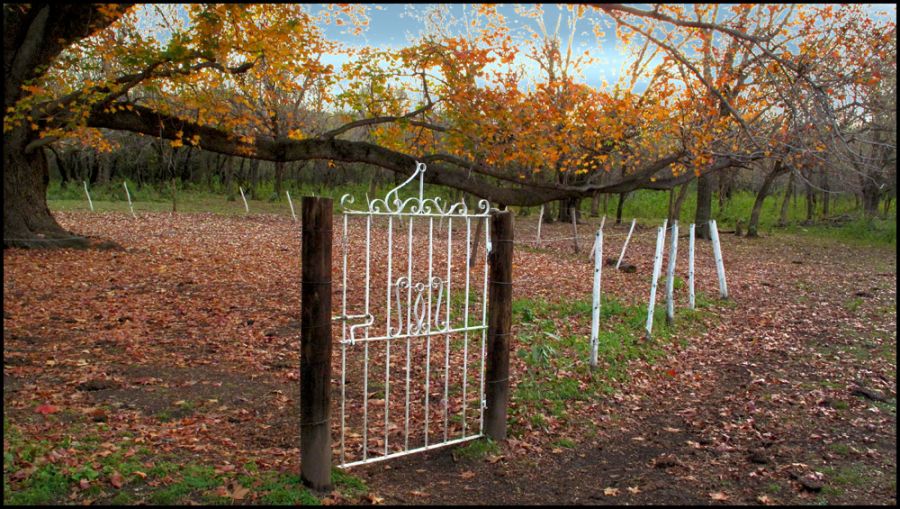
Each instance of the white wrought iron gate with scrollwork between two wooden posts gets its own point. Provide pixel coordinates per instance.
(433, 322)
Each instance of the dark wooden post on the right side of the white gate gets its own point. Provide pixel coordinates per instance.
(499, 321)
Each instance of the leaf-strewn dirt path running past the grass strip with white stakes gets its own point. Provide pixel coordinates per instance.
(766, 408)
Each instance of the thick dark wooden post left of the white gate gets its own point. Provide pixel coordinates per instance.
(315, 343)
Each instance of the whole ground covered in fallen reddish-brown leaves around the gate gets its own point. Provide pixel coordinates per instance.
(167, 372)
